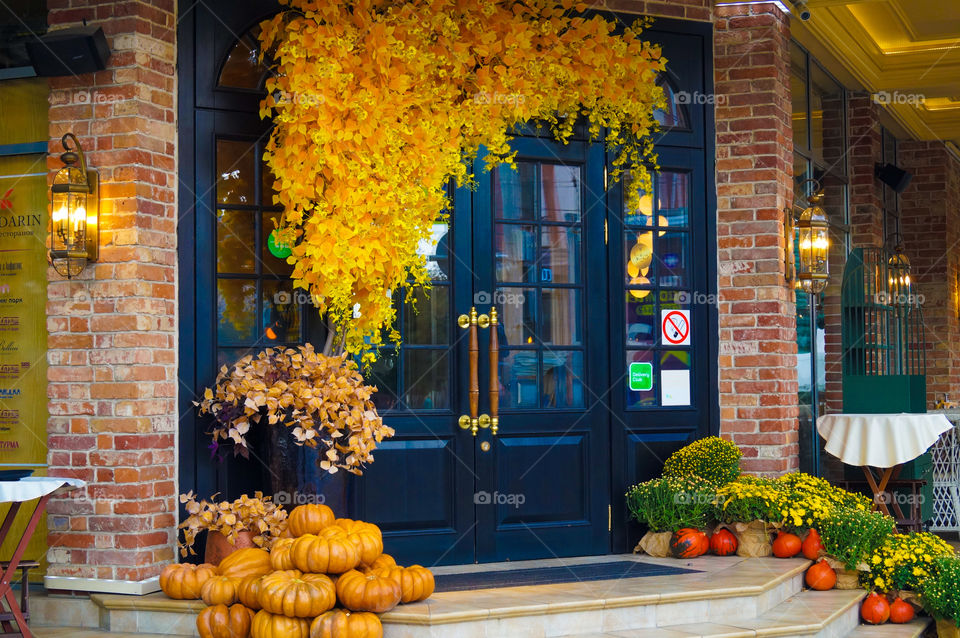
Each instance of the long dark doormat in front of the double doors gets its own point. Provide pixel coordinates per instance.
(614, 570)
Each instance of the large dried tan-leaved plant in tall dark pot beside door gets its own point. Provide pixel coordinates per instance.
(322, 399)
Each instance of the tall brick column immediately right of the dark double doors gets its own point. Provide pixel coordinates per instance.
(758, 363)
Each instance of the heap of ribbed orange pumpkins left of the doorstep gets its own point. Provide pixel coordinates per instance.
(292, 591)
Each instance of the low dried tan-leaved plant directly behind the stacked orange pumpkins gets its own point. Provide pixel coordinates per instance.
(258, 514)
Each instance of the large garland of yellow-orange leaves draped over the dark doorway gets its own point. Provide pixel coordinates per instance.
(378, 105)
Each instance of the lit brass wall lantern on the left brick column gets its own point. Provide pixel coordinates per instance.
(74, 232)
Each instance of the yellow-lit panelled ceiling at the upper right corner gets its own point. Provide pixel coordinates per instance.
(906, 52)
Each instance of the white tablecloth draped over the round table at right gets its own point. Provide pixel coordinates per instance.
(880, 440)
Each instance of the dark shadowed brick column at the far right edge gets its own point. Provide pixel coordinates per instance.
(930, 224)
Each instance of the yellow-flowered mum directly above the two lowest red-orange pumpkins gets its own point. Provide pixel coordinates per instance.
(904, 561)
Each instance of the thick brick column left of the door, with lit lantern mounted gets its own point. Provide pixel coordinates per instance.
(112, 331)
